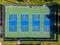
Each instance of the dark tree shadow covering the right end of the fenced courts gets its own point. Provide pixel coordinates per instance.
(53, 16)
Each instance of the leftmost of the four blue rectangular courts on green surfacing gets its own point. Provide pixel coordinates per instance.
(12, 23)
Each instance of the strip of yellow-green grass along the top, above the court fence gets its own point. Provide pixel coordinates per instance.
(31, 2)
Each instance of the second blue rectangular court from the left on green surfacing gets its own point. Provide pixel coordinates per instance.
(24, 22)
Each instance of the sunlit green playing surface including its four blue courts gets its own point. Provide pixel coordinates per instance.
(27, 22)
